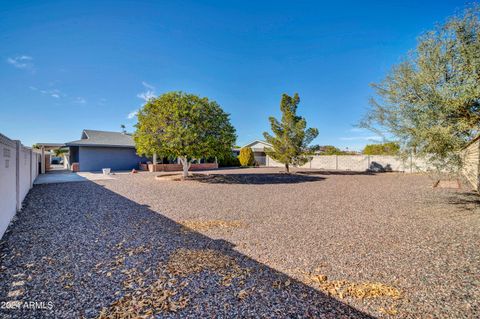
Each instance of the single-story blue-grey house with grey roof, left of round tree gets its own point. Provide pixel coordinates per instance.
(96, 150)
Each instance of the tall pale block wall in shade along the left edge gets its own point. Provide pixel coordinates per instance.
(19, 166)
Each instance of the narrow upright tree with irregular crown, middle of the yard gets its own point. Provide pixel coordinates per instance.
(291, 137)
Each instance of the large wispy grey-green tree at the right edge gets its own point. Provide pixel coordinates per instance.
(430, 102)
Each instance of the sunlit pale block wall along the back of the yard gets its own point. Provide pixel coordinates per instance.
(360, 163)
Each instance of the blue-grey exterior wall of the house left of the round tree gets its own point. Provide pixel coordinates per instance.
(116, 158)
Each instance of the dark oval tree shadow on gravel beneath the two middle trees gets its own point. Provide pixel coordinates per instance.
(256, 179)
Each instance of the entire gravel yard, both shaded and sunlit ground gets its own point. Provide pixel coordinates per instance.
(248, 243)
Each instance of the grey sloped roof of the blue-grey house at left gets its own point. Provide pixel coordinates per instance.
(103, 138)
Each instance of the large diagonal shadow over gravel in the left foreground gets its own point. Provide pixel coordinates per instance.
(84, 247)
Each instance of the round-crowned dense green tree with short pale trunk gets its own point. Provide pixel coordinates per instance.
(184, 126)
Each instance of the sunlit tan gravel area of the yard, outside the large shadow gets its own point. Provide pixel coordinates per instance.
(391, 230)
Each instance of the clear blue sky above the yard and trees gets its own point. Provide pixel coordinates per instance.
(66, 66)
